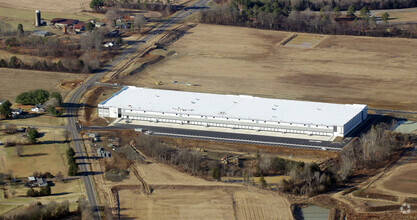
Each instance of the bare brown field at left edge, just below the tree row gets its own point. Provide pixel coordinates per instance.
(15, 81)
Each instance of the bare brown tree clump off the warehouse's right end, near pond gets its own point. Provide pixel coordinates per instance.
(373, 149)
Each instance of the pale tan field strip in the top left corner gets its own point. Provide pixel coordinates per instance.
(72, 6)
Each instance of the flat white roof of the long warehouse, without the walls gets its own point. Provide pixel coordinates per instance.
(233, 106)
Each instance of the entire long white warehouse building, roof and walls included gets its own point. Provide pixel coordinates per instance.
(233, 111)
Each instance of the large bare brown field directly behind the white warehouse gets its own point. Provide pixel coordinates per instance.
(379, 72)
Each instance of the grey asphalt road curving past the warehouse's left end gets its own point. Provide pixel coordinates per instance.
(73, 102)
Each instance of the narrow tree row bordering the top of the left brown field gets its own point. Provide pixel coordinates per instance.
(68, 65)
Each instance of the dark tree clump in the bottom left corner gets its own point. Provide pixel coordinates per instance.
(52, 210)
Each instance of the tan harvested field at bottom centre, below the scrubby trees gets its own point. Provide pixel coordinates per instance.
(177, 195)
